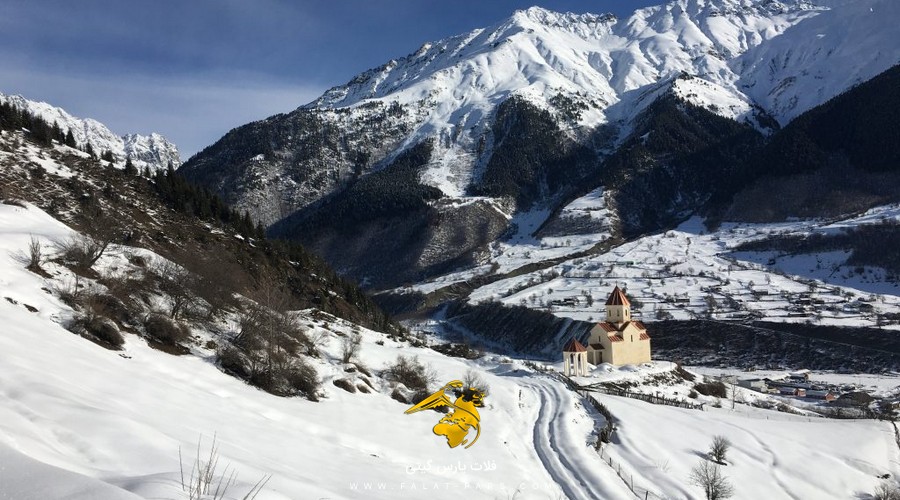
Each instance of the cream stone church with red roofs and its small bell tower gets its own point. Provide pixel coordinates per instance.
(618, 341)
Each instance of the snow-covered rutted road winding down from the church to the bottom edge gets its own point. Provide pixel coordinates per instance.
(560, 434)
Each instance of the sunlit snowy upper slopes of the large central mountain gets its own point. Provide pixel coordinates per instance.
(611, 68)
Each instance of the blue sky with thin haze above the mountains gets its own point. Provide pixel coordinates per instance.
(194, 69)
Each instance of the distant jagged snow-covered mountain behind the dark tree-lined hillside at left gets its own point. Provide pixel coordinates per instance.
(153, 151)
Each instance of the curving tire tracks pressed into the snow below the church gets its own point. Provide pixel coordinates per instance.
(574, 477)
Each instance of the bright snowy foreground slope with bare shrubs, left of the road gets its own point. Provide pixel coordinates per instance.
(104, 424)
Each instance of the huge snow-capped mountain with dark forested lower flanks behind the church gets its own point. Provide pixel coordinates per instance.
(537, 110)
